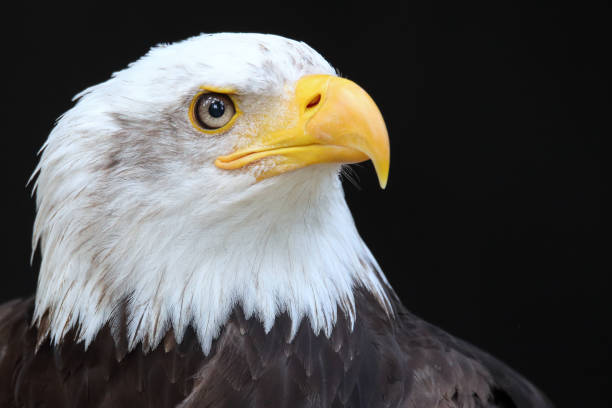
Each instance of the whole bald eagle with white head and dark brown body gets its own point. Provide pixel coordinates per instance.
(197, 249)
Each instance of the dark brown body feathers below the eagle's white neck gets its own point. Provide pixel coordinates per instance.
(401, 362)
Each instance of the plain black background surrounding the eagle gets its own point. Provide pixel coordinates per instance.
(491, 225)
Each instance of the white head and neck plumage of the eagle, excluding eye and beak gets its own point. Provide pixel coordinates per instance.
(132, 210)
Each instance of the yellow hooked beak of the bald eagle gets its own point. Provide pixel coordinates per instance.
(338, 123)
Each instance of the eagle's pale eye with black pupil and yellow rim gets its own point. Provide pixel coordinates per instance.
(212, 111)
